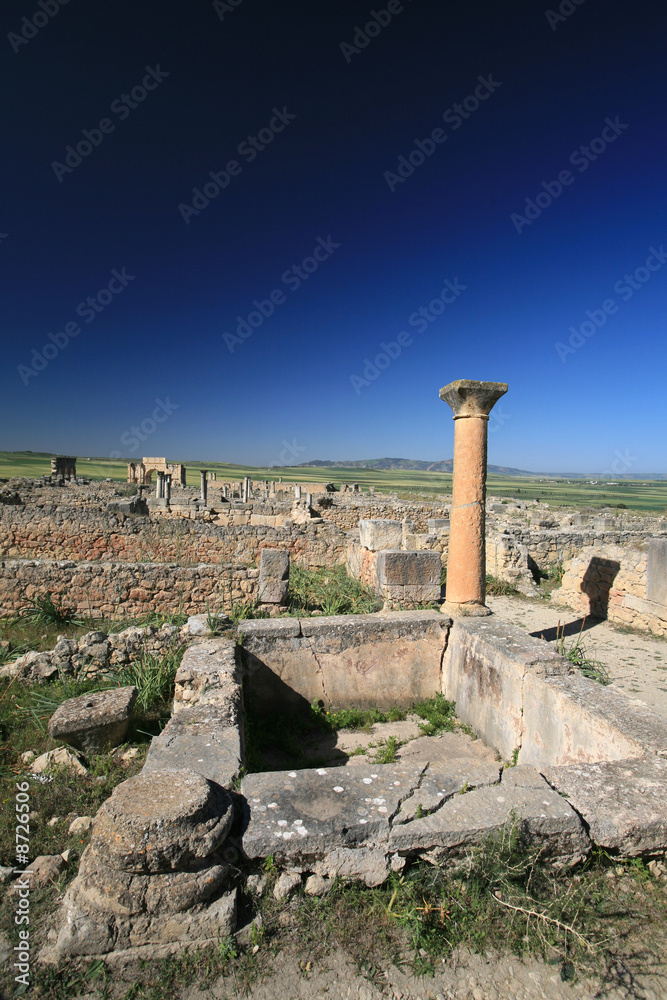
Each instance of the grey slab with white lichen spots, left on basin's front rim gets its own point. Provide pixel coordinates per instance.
(300, 814)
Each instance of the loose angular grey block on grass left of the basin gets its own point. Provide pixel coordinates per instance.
(94, 722)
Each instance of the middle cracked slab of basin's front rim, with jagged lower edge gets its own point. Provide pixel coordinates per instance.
(466, 819)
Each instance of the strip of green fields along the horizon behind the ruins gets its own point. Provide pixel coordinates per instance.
(636, 495)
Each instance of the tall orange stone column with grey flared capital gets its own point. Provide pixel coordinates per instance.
(471, 403)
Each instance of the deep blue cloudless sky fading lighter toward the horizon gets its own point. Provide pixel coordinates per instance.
(289, 383)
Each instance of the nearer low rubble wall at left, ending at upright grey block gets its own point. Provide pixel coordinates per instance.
(124, 589)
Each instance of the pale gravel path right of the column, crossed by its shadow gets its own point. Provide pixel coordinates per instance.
(636, 661)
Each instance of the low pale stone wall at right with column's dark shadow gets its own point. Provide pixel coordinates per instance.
(610, 581)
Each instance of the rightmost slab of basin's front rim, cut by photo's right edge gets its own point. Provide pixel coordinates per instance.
(624, 803)
